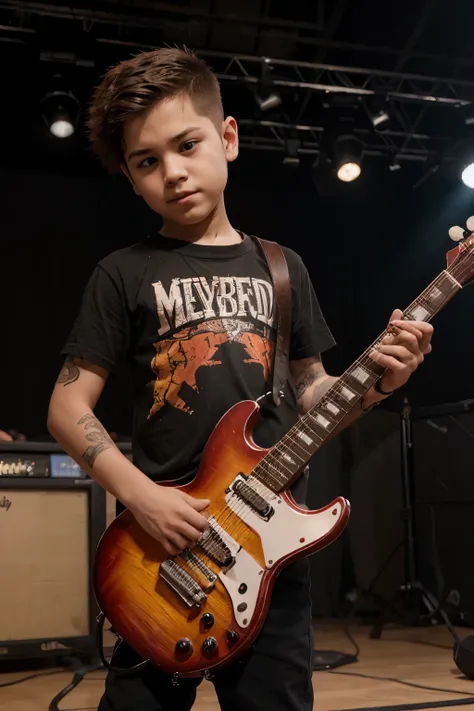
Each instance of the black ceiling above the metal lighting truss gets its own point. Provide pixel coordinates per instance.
(423, 36)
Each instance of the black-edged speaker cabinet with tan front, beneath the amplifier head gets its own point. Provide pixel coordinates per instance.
(49, 530)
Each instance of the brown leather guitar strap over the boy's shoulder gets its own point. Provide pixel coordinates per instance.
(278, 267)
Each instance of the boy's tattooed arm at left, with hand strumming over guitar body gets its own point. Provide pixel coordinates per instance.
(169, 515)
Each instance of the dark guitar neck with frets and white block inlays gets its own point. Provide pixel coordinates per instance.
(282, 465)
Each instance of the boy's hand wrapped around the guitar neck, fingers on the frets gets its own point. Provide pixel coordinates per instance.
(402, 352)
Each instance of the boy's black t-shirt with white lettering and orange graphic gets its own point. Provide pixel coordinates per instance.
(196, 326)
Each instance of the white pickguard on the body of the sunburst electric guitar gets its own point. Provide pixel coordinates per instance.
(285, 532)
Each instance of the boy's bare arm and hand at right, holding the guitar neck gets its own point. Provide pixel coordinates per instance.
(400, 354)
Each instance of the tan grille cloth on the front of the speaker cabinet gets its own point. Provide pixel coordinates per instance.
(45, 565)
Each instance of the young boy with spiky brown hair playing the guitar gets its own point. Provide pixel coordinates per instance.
(191, 310)
